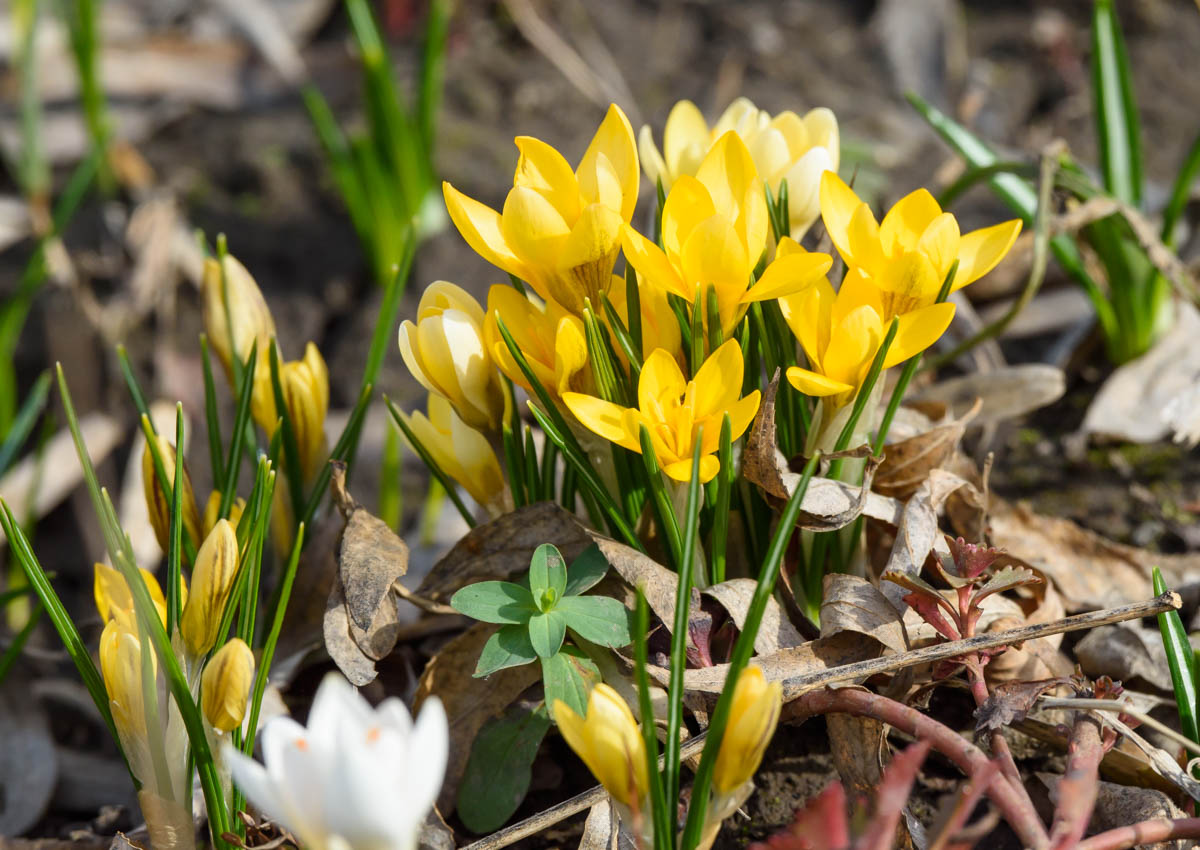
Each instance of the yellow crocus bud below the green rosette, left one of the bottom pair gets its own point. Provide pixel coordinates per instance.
(609, 743)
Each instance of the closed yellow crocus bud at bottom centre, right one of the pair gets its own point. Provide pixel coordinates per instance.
(753, 719)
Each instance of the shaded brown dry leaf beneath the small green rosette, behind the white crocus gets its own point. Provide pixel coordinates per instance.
(470, 703)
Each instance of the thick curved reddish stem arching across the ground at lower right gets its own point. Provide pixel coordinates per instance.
(1017, 809)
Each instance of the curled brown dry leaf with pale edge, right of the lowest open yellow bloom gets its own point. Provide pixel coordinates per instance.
(827, 505)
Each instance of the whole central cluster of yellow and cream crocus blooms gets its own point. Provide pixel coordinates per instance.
(561, 232)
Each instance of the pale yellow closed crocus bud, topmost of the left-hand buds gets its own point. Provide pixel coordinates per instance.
(248, 321)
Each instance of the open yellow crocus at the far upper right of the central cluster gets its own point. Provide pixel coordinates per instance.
(911, 253)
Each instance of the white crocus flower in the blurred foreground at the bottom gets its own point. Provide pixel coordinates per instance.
(358, 779)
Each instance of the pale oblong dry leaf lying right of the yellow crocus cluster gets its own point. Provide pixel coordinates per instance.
(1003, 394)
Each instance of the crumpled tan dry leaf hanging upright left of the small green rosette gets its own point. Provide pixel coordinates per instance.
(371, 558)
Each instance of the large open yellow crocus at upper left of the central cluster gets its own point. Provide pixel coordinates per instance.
(560, 230)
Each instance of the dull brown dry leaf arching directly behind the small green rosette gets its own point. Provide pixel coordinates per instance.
(501, 549)
